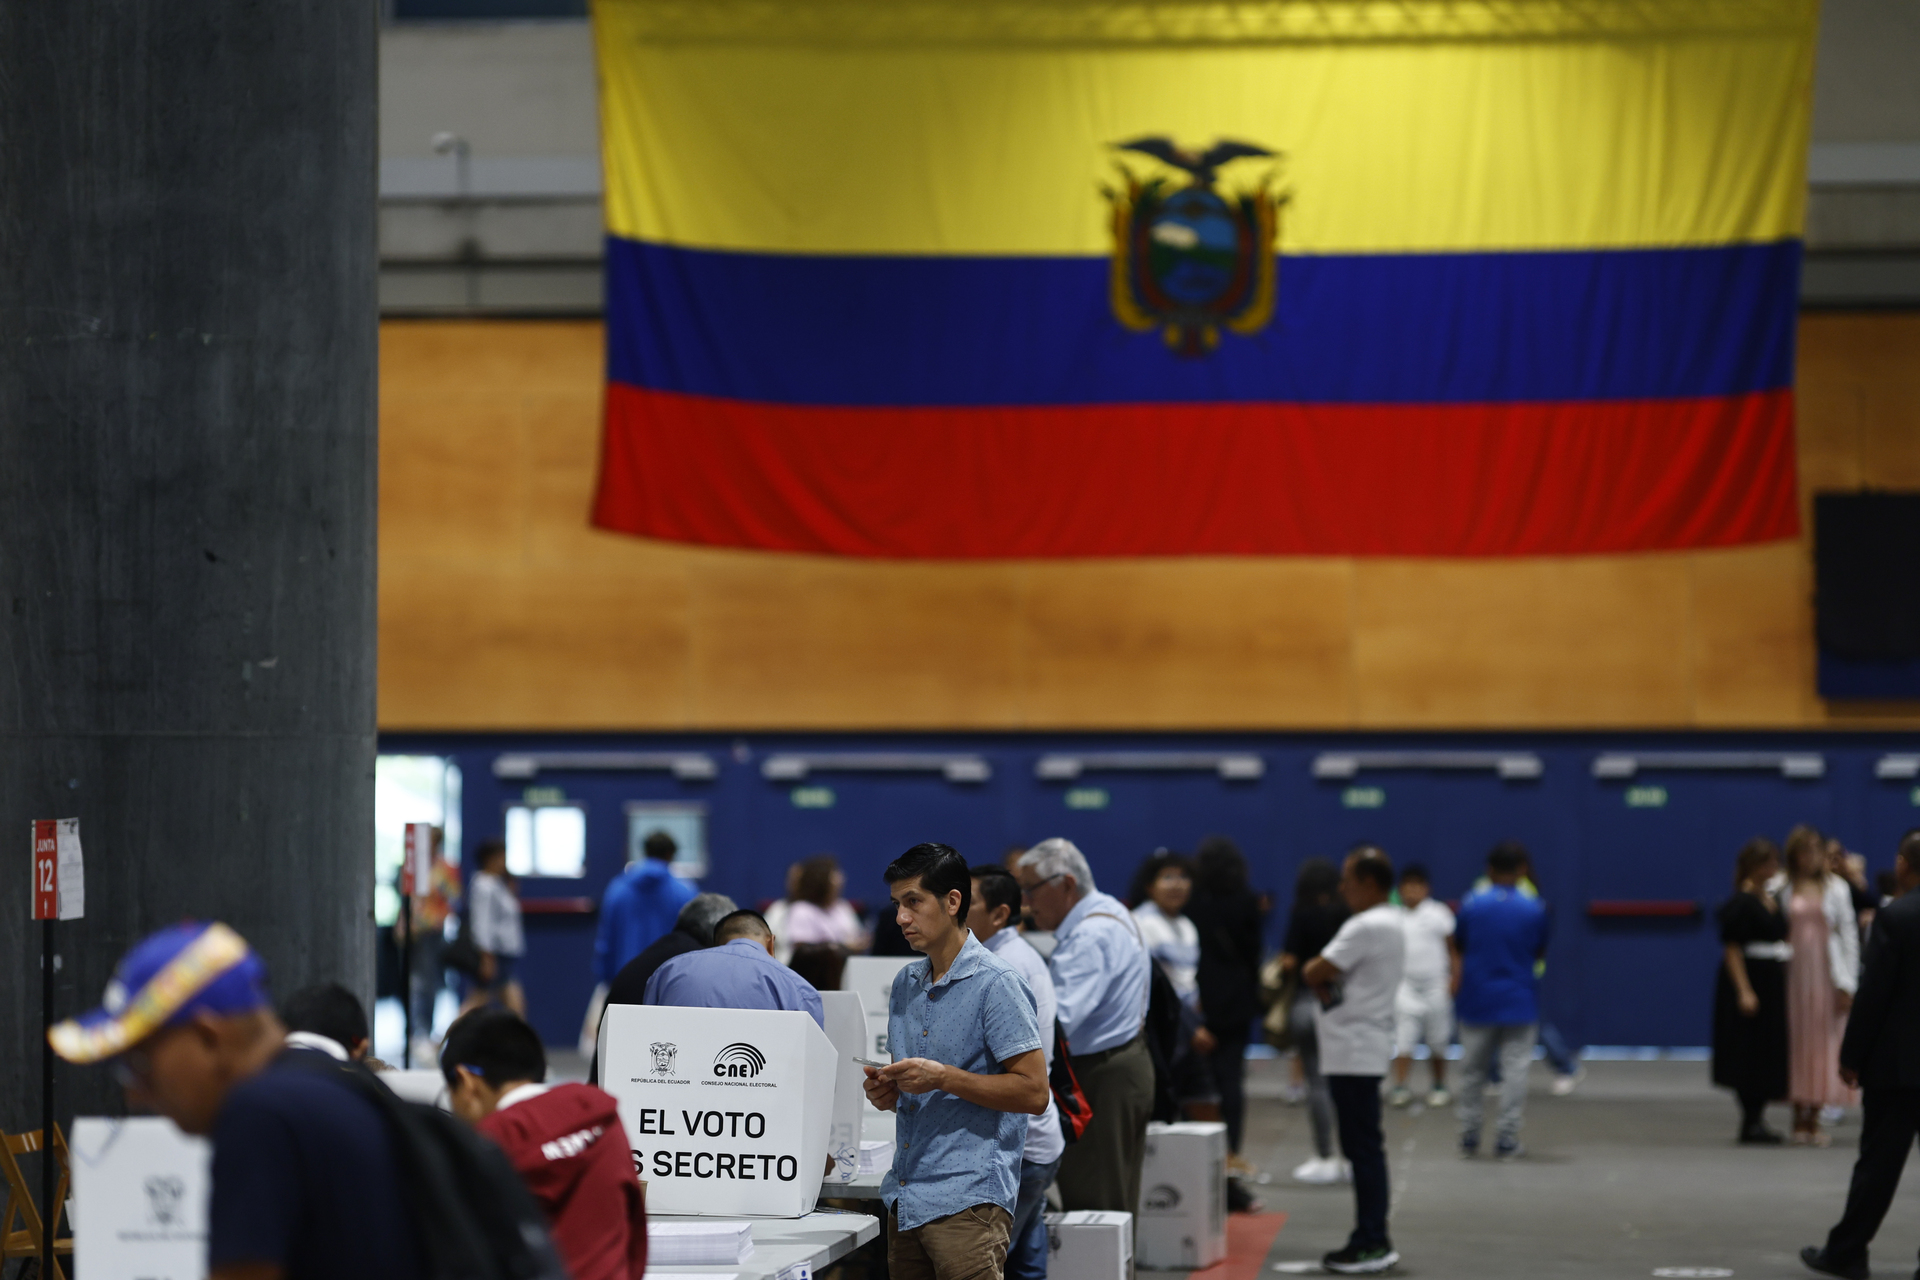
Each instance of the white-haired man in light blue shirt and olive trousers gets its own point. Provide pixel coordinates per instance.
(1101, 982)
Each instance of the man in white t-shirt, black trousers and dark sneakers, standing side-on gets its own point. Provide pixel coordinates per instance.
(1356, 980)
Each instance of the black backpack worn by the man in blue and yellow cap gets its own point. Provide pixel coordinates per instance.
(471, 1212)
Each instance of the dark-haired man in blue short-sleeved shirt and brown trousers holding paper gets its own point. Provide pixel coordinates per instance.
(967, 1076)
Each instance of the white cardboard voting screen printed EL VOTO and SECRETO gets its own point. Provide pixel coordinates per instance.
(729, 1110)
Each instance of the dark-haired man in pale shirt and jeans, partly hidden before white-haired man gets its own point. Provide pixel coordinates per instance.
(992, 920)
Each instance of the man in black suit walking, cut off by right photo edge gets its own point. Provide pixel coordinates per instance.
(1881, 1055)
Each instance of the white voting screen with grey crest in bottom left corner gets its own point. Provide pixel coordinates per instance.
(139, 1200)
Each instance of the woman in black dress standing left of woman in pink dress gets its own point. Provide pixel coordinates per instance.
(1750, 1001)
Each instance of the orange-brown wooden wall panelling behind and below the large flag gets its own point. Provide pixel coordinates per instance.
(500, 609)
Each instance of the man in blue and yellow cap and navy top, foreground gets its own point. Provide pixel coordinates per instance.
(306, 1183)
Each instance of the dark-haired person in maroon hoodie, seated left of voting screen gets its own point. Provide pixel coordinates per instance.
(565, 1141)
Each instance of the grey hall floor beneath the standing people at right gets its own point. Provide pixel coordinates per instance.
(1635, 1172)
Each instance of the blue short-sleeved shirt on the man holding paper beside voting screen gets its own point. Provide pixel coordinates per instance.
(951, 1154)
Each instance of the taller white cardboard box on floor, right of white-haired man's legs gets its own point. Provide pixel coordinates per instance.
(1184, 1197)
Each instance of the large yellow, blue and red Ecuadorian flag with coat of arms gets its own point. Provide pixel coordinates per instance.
(1159, 277)
